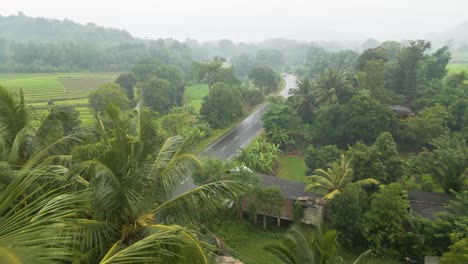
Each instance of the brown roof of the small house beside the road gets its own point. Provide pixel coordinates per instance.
(290, 189)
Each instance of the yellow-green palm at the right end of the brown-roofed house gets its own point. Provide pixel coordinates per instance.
(335, 179)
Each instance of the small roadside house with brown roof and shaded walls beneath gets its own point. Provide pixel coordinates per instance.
(313, 207)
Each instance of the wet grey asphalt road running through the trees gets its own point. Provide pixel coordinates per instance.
(227, 146)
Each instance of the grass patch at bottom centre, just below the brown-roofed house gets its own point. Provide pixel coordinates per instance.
(247, 243)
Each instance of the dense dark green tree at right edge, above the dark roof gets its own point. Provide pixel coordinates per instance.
(446, 162)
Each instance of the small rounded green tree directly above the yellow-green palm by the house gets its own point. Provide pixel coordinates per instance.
(321, 157)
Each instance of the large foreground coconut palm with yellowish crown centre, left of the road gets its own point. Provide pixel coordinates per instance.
(134, 211)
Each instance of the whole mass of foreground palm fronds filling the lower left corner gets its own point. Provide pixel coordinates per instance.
(112, 201)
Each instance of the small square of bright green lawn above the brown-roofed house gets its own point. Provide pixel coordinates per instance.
(291, 167)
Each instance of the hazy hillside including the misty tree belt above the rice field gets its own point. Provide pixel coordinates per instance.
(48, 45)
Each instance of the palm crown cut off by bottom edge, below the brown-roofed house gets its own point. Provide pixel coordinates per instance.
(310, 245)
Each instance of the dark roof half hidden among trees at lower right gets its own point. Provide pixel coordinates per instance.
(428, 204)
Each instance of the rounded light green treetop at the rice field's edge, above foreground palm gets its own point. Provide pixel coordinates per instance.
(107, 93)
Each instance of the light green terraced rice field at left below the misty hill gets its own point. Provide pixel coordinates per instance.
(61, 88)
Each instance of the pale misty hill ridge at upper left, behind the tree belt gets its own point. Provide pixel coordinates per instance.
(21, 28)
